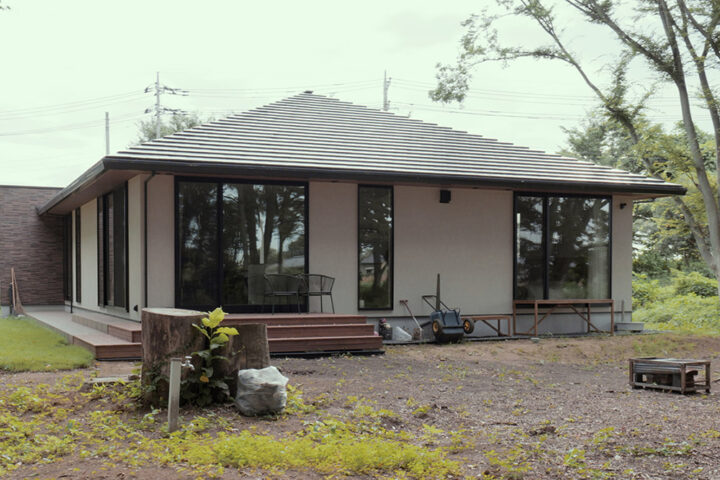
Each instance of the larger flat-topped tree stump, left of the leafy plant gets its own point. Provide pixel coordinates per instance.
(166, 333)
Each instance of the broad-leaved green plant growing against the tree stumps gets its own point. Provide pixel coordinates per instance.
(204, 385)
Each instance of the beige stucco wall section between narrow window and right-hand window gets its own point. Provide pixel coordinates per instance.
(467, 241)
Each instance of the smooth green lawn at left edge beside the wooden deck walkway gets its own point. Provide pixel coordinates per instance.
(27, 346)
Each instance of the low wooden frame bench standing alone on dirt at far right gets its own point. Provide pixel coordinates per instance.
(674, 374)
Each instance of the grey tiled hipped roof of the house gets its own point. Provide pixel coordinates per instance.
(312, 136)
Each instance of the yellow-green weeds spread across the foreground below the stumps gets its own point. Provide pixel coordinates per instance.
(45, 423)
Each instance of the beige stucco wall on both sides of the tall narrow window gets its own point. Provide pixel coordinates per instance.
(468, 241)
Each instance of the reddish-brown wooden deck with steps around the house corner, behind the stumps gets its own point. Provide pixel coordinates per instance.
(113, 338)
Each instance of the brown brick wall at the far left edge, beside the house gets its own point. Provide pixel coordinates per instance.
(32, 245)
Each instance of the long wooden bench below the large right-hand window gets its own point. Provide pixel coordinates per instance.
(573, 304)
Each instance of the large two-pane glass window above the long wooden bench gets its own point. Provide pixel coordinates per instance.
(562, 248)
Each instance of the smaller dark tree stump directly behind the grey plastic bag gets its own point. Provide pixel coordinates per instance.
(248, 349)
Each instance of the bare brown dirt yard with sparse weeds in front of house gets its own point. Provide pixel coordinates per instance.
(560, 408)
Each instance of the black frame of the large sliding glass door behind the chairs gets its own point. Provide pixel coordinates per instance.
(220, 181)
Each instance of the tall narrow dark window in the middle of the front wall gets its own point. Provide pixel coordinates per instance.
(375, 252)
